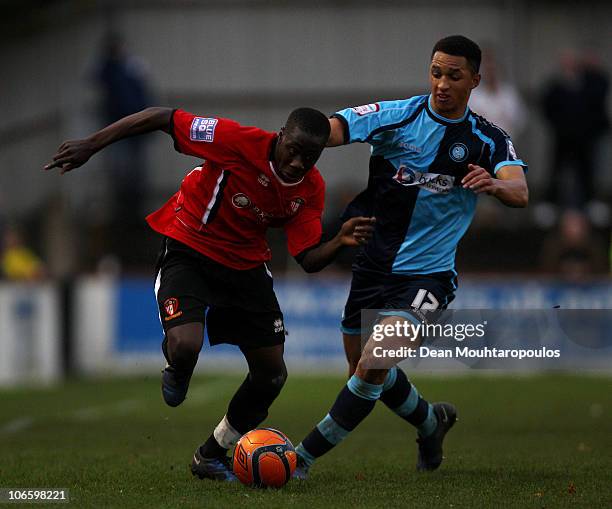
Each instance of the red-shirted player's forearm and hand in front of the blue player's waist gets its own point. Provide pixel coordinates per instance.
(354, 232)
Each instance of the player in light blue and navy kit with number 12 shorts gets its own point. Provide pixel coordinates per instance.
(431, 158)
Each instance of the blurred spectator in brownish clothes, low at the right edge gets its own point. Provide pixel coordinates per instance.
(574, 250)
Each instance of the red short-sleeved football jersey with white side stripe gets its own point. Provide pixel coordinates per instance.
(226, 204)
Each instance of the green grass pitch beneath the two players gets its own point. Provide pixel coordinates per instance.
(541, 442)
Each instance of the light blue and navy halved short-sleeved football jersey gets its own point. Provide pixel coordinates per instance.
(414, 186)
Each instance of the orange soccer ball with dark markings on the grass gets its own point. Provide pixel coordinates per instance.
(264, 457)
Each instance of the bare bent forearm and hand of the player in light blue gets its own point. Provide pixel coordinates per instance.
(510, 186)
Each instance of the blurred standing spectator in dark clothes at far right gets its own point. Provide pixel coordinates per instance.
(574, 104)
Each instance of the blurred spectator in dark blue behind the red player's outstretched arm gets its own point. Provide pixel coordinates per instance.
(124, 86)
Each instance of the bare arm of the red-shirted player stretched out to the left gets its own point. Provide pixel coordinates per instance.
(74, 153)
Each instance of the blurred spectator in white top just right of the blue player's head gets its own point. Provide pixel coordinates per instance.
(497, 99)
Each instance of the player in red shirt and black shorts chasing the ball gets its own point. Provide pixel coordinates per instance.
(211, 270)
